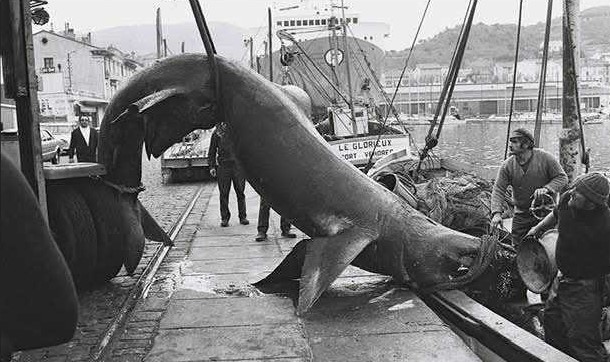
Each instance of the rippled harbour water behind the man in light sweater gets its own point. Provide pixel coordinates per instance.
(482, 144)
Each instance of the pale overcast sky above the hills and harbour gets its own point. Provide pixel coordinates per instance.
(403, 16)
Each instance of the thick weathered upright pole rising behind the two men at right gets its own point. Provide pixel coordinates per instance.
(569, 141)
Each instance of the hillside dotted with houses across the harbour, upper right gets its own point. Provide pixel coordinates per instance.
(497, 41)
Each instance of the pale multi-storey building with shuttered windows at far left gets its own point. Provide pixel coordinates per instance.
(72, 71)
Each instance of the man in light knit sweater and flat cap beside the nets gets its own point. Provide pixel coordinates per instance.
(532, 172)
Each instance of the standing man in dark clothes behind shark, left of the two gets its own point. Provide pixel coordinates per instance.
(224, 166)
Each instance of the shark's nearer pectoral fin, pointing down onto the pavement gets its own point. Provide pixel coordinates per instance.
(325, 260)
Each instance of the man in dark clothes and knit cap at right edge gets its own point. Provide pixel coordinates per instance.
(572, 317)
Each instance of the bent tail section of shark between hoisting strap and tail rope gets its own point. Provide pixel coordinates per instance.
(157, 108)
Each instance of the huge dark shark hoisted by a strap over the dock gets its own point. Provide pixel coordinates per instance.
(349, 218)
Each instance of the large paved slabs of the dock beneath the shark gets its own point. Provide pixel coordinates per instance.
(206, 309)
